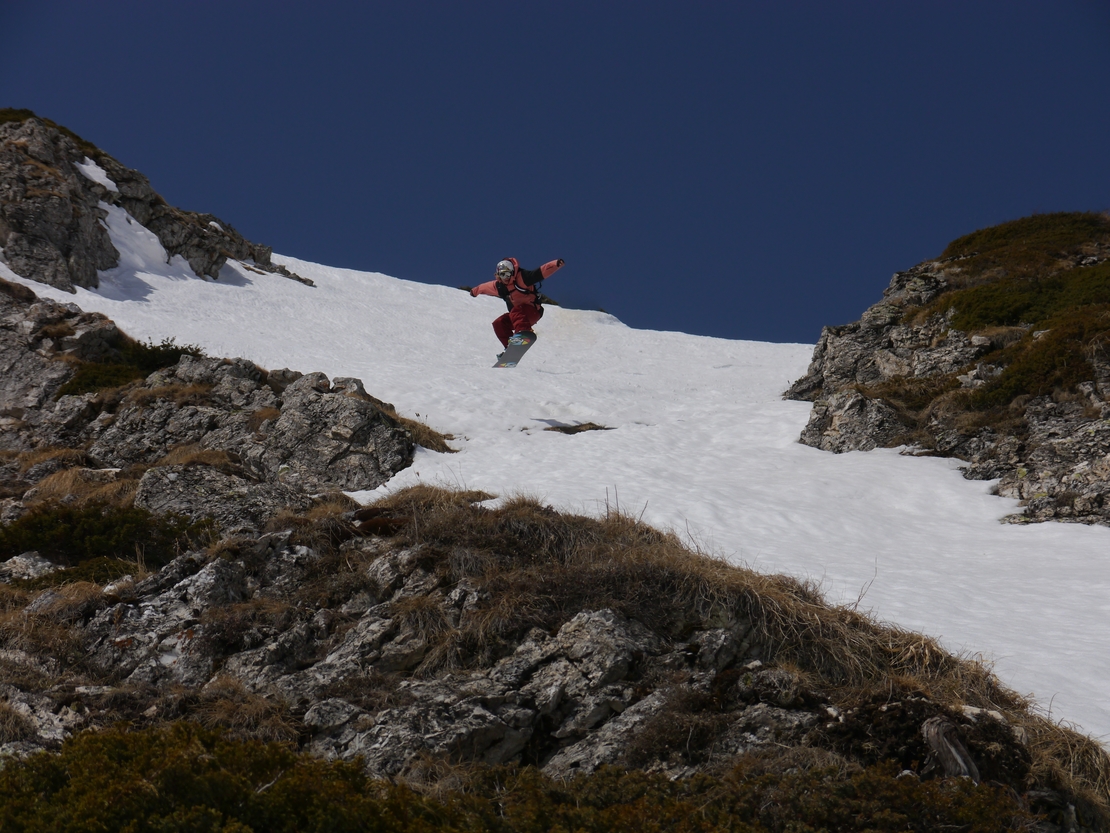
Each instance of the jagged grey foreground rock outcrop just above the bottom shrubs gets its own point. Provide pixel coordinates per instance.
(364, 677)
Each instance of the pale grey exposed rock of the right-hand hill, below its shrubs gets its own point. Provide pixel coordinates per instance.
(1057, 463)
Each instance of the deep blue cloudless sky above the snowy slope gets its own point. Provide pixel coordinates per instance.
(749, 170)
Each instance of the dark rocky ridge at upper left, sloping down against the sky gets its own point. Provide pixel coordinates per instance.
(52, 230)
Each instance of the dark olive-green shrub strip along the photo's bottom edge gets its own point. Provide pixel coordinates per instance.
(185, 778)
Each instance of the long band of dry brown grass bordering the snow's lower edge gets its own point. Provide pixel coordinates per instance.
(539, 568)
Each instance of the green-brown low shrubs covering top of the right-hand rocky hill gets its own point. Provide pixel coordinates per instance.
(1018, 277)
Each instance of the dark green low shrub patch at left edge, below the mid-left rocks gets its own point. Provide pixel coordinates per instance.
(73, 536)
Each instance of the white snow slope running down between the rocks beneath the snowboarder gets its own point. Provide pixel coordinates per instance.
(702, 444)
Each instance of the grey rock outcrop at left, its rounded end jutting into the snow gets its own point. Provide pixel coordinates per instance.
(256, 444)
